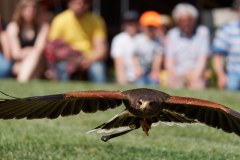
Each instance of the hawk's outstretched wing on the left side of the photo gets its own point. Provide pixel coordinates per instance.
(52, 106)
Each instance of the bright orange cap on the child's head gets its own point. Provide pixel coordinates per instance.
(150, 18)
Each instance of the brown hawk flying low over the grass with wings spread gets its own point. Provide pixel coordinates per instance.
(143, 108)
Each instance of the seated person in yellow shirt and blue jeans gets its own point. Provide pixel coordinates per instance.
(80, 38)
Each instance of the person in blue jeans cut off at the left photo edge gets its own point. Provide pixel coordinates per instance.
(5, 57)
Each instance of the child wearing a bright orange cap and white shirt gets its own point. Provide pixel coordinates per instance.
(149, 52)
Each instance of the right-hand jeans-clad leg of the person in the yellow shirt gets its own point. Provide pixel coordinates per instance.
(97, 72)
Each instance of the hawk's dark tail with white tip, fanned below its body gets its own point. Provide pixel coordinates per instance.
(122, 123)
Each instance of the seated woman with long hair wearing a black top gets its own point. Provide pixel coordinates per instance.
(27, 36)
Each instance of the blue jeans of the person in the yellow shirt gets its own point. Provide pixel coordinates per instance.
(95, 73)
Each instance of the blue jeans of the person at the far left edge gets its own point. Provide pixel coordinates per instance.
(5, 67)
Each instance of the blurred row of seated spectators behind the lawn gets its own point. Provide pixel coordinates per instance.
(177, 47)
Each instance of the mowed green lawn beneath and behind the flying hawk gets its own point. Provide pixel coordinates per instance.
(66, 138)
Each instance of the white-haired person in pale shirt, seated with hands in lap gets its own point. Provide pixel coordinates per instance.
(187, 49)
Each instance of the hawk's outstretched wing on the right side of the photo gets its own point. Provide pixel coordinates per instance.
(209, 113)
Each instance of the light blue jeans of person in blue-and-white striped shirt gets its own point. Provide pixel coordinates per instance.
(233, 81)
